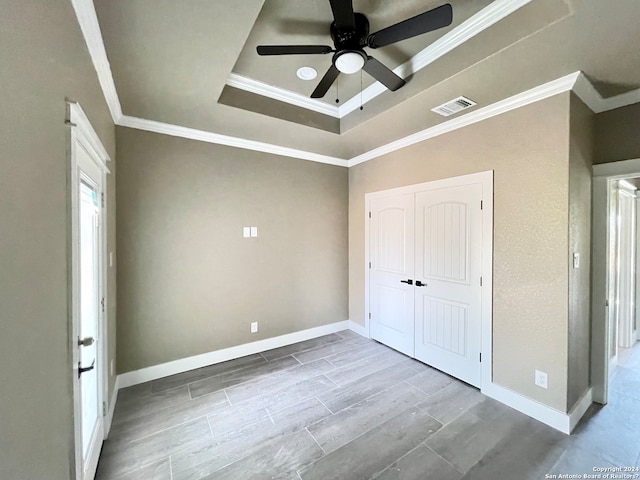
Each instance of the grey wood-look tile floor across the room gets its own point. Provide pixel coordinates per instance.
(344, 407)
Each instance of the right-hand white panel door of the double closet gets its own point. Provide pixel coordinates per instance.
(448, 270)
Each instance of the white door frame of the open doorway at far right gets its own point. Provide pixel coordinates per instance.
(601, 322)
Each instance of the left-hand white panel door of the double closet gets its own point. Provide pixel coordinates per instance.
(391, 272)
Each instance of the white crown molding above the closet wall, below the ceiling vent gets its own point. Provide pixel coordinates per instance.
(535, 94)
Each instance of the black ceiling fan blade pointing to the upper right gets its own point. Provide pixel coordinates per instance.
(439, 17)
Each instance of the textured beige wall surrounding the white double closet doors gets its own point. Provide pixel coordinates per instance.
(528, 151)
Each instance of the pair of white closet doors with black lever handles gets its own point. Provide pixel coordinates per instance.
(425, 276)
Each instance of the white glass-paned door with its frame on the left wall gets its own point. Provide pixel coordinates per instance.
(88, 340)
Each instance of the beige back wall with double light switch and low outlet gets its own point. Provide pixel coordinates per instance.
(188, 282)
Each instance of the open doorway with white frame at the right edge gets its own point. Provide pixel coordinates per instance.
(615, 271)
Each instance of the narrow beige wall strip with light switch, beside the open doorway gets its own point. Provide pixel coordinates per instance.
(580, 173)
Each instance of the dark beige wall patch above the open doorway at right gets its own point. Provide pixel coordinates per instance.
(616, 134)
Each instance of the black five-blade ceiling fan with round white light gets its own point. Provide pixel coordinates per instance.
(350, 34)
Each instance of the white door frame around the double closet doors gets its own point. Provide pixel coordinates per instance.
(486, 179)
